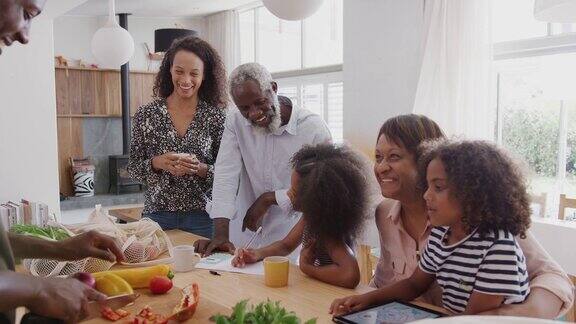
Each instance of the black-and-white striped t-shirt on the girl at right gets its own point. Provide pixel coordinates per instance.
(493, 264)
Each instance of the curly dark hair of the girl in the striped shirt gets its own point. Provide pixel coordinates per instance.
(489, 185)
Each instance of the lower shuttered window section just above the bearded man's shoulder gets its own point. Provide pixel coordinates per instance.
(321, 94)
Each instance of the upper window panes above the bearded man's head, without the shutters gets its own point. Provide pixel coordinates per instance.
(283, 45)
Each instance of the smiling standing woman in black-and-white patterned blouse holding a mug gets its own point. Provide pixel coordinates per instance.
(175, 138)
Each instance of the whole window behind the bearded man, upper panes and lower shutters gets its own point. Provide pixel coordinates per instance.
(305, 57)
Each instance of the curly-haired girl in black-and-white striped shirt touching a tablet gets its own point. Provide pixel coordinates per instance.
(476, 198)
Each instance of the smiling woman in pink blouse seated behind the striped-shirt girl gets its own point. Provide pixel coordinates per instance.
(404, 227)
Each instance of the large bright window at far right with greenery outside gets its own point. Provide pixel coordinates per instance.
(536, 102)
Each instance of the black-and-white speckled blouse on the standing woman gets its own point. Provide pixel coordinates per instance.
(154, 134)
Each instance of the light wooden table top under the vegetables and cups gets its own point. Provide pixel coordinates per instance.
(307, 297)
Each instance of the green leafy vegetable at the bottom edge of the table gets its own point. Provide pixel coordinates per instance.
(264, 313)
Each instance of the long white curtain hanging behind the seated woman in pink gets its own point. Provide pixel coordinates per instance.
(455, 82)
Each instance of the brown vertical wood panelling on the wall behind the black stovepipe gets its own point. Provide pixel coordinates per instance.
(90, 93)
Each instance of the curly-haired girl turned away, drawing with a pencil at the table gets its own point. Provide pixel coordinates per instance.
(328, 187)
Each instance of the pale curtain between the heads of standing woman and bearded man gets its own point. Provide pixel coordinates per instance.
(222, 32)
